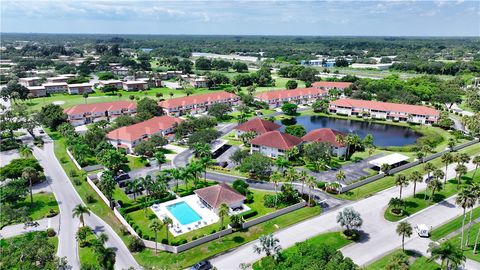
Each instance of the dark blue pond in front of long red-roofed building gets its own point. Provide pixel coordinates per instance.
(383, 134)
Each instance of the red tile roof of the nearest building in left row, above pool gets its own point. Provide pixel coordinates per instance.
(149, 127)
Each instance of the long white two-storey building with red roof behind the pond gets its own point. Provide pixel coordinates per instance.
(385, 110)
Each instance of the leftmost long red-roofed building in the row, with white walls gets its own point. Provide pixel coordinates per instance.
(89, 113)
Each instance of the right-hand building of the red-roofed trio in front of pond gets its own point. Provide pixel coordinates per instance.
(327, 135)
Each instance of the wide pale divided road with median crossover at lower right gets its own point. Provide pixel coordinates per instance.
(379, 236)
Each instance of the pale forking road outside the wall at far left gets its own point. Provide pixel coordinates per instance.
(68, 198)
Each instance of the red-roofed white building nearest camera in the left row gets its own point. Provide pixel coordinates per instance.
(128, 137)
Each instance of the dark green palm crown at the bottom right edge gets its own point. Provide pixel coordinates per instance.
(447, 253)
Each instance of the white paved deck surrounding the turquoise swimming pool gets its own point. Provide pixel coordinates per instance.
(207, 215)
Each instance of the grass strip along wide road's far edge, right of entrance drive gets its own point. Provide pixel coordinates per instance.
(387, 182)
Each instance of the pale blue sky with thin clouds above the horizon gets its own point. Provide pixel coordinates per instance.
(244, 17)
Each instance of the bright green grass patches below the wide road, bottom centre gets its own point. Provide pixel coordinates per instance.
(335, 240)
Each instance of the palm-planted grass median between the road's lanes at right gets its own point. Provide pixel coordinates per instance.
(423, 200)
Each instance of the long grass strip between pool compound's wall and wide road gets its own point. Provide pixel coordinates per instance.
(196, 254)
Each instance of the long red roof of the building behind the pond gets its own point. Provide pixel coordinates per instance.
(385, 106)
